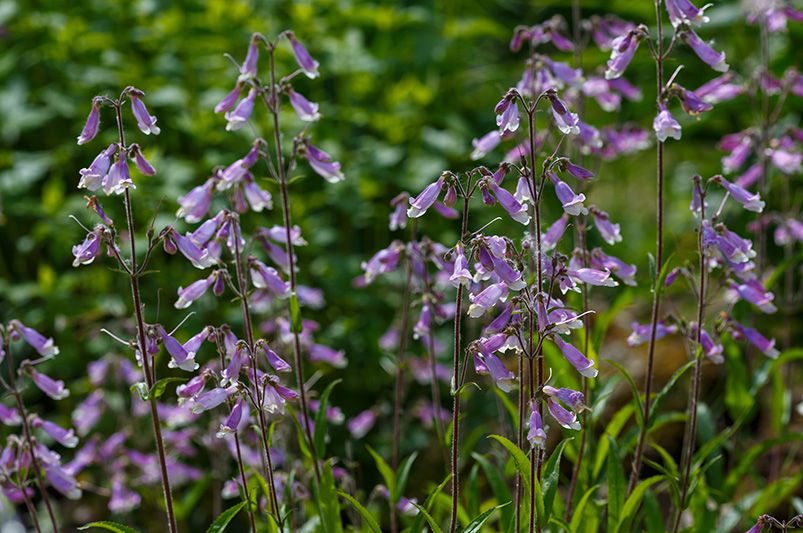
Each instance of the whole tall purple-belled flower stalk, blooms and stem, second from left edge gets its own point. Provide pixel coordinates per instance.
(113, 178)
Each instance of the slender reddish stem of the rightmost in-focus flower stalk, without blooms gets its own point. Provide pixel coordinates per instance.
(686, 458)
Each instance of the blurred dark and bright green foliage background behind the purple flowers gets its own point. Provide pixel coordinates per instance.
(405, 87)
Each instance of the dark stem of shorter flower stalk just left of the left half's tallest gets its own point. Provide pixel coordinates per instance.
(242, 288)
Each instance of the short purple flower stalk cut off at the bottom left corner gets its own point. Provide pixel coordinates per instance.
(26, 461)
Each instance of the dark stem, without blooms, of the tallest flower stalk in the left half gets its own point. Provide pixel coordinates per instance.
(291, 266)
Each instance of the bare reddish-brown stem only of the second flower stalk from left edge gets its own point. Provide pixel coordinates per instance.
(148, 369)
